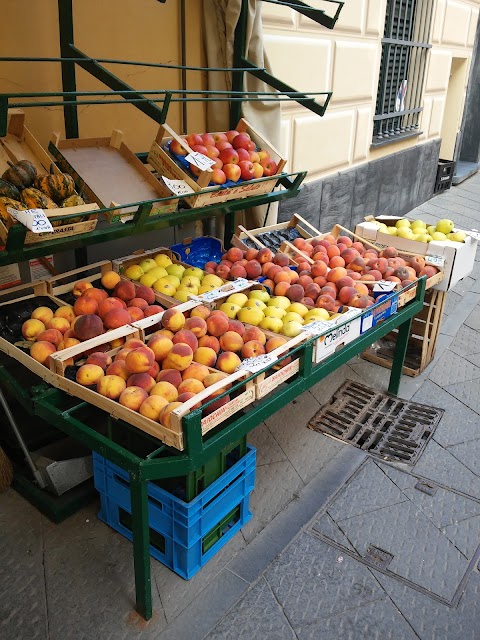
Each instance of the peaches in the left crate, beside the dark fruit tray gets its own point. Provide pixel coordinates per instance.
(93, 313)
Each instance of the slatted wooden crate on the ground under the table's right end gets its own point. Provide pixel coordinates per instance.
(422, 341)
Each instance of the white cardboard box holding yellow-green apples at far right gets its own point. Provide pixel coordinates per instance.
(459, 256)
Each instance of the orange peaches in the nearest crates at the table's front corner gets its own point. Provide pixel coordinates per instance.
(176, 364)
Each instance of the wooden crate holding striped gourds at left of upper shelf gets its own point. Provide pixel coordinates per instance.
(20, 144)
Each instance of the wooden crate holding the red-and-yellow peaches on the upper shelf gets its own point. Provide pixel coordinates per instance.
(160, 158)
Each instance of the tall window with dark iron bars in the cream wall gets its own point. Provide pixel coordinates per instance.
(402, 70)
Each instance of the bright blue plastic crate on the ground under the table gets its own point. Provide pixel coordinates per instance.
(183, 535)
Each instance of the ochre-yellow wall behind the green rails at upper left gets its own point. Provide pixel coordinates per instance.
(144, 30)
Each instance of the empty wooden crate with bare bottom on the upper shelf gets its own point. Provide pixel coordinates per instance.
(110, 174)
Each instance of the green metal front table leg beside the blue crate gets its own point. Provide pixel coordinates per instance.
(141, 546)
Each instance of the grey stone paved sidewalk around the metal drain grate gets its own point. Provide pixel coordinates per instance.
(297, 569)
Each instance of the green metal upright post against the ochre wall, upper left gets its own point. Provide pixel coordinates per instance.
(65, 20)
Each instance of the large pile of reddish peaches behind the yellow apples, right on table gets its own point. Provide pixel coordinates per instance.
(329, 272)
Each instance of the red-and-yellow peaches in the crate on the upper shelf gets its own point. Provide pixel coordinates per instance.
(234, 153)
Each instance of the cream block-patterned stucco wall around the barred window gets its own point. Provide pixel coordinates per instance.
(346, 61)
